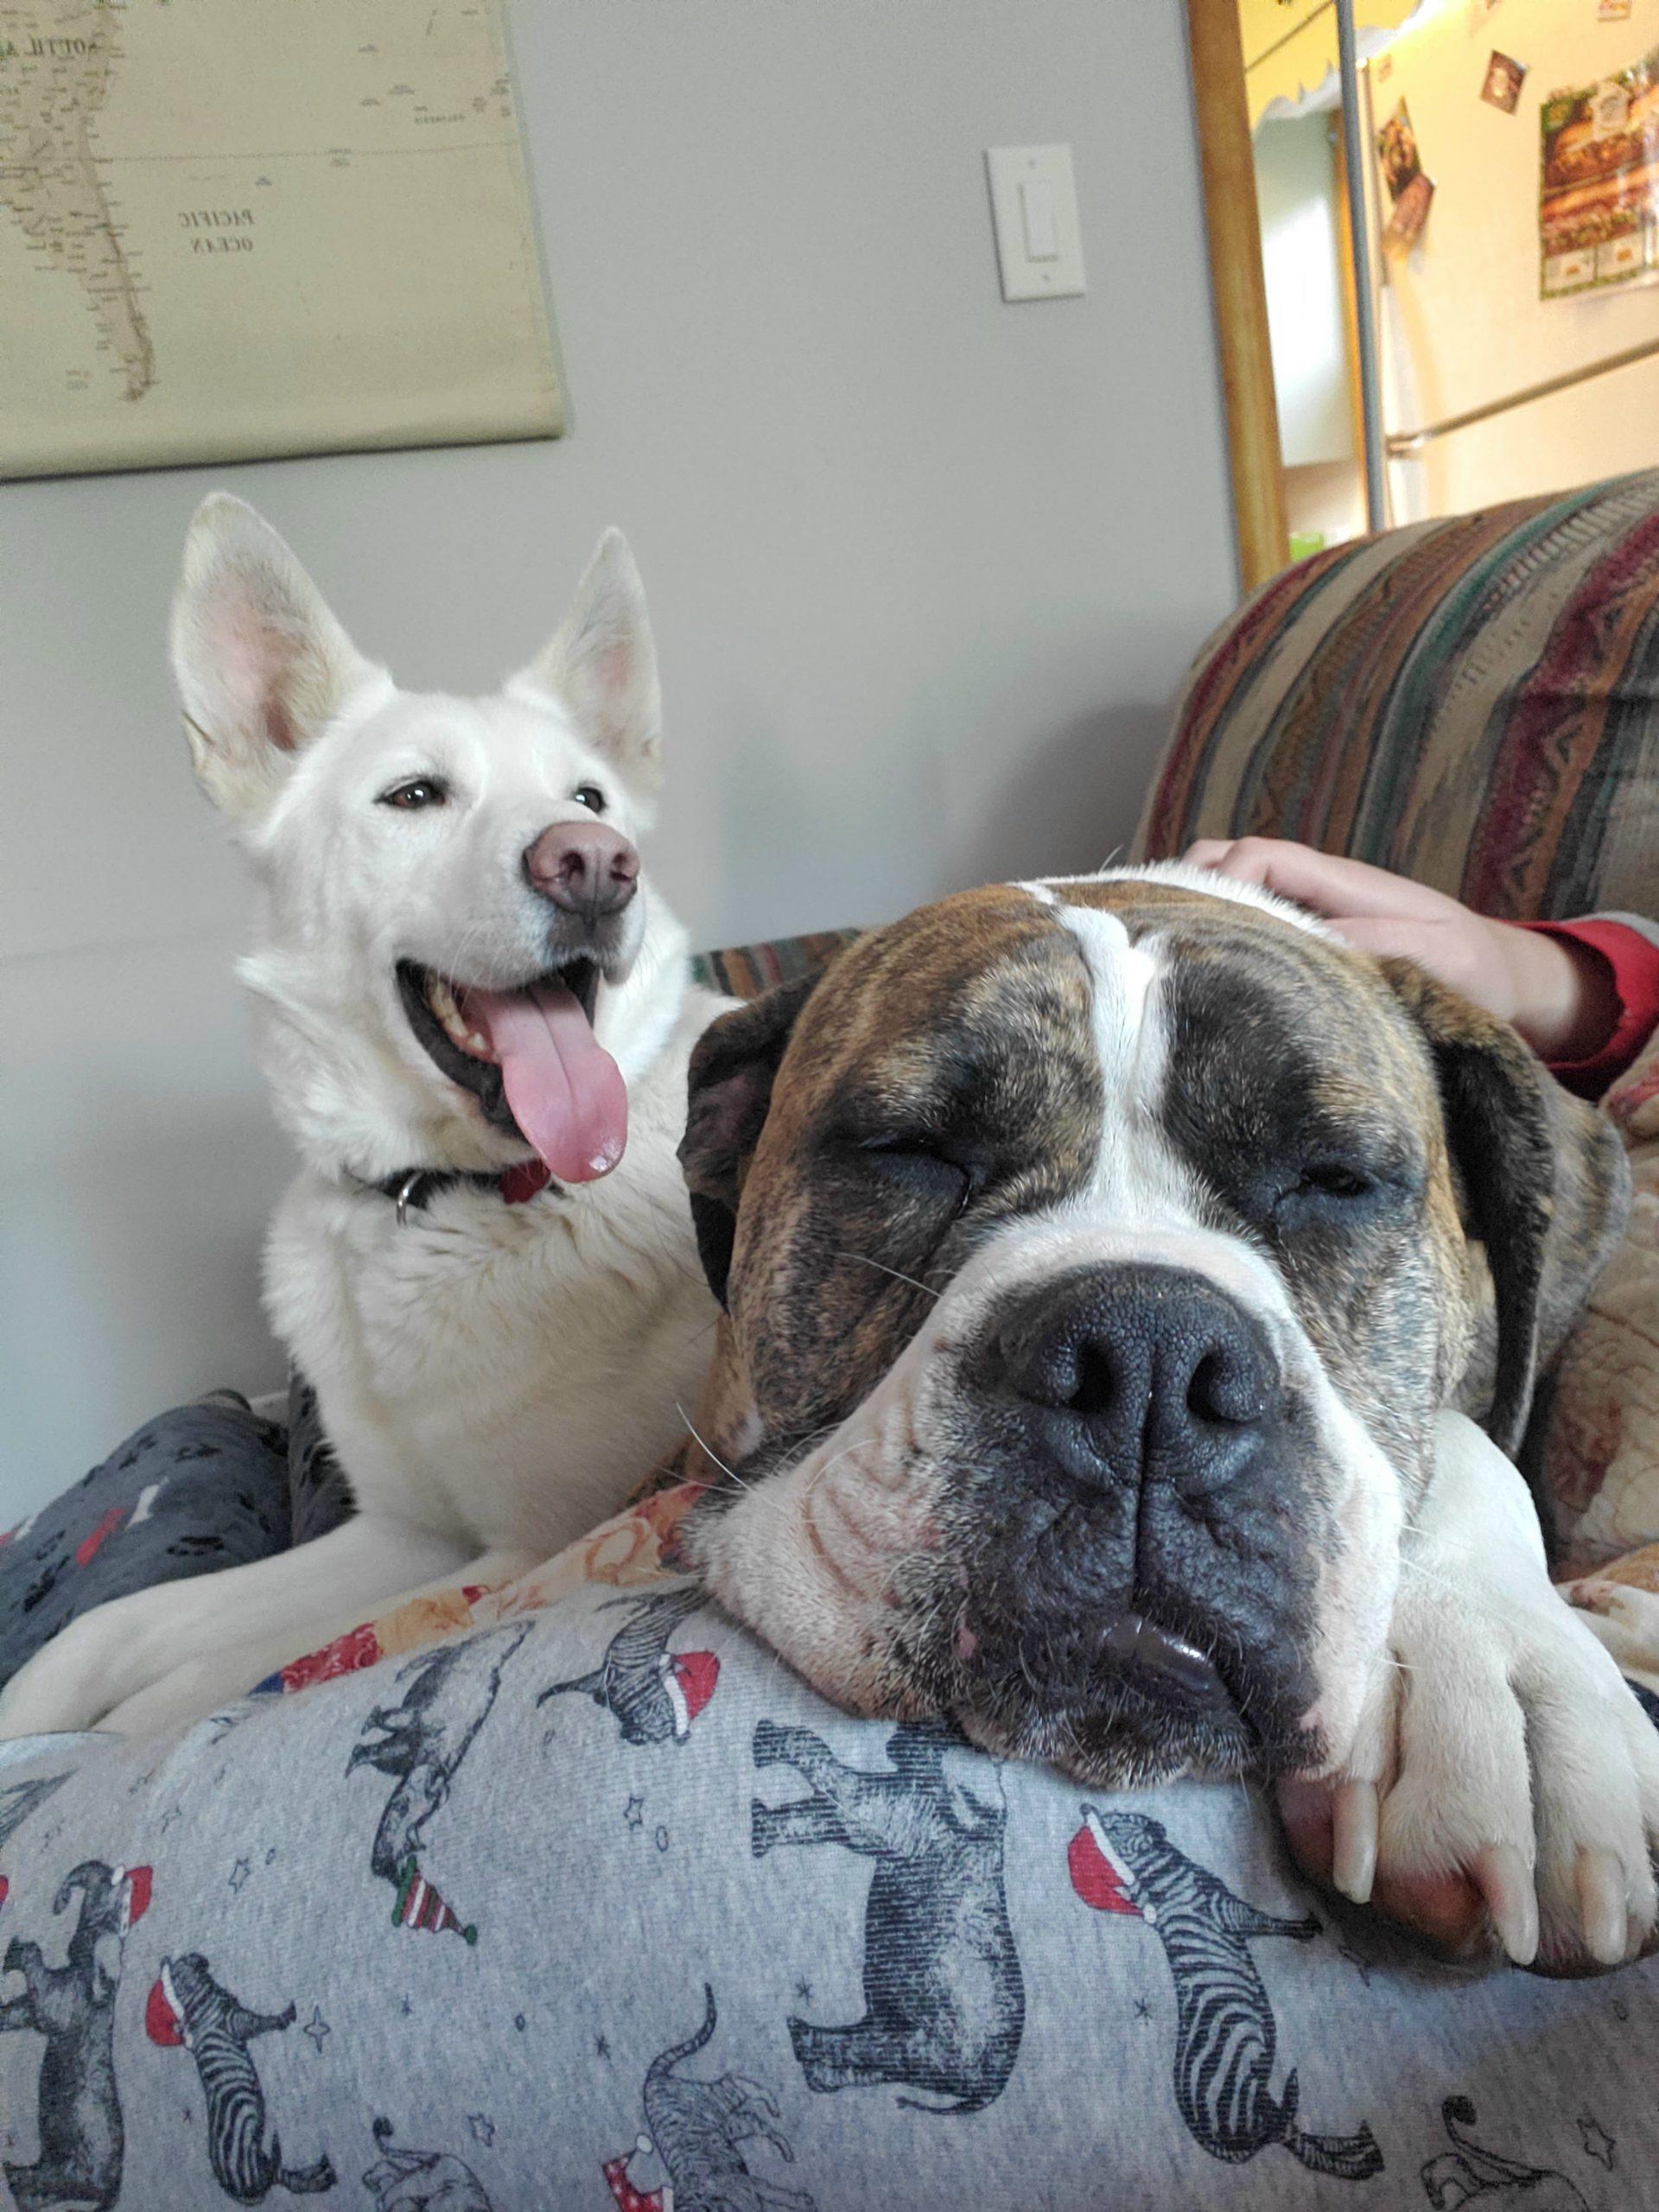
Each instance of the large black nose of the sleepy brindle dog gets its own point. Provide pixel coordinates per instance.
(1138, 1375)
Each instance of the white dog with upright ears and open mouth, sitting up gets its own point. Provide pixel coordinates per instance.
(468, 1003)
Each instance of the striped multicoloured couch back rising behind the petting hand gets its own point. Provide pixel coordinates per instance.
(1472, 702)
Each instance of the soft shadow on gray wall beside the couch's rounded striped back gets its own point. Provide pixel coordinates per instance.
(1072, 804)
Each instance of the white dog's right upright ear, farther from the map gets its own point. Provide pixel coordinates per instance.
(603, 667)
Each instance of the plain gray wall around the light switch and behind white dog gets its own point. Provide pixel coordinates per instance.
(926, 572)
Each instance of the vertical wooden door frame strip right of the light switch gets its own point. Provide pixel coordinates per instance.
(1238, 289)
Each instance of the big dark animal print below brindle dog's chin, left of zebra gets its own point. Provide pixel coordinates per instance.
(943, 1994)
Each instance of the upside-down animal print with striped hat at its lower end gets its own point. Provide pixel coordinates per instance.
(421, 1742)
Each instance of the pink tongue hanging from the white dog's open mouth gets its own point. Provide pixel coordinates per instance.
(565, 1089)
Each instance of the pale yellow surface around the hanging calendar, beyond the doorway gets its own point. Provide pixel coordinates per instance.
(1463, 315)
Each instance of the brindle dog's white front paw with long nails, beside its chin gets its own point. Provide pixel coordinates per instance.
(1501, 1757)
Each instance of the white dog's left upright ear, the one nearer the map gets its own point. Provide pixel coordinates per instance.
(260, 660)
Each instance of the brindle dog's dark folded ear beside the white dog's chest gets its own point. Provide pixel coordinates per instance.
(733, 1070)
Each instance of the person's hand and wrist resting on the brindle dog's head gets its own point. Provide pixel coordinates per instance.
(1554, 992)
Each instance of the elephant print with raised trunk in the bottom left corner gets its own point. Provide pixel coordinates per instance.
(83, 2138)
